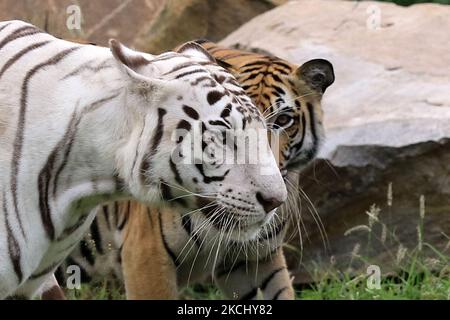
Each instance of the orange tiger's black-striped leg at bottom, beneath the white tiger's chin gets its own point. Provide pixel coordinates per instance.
(248, 280)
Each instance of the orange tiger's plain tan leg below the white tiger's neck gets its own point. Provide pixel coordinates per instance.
(149, 273)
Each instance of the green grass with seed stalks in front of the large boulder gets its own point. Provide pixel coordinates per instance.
(422, 272)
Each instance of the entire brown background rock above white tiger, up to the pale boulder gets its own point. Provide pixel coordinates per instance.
(151, 25)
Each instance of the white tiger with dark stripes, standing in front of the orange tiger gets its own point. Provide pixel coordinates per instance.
(81, 125)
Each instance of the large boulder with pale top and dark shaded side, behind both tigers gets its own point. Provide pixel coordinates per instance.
(387, 121)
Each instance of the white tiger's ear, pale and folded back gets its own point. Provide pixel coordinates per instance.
(137, 67)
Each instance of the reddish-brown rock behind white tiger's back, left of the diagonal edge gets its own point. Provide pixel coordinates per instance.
(101, 19)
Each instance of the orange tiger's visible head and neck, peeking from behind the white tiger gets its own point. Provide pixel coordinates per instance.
(289, 97)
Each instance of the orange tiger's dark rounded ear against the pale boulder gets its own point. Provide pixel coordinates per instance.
(317, 73)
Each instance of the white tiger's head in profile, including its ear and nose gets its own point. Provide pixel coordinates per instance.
(197, 138)
